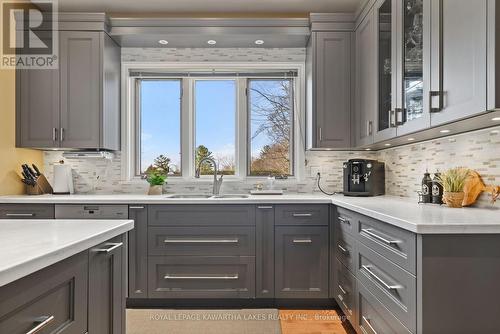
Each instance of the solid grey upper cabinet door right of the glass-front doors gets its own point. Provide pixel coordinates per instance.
(459, 47)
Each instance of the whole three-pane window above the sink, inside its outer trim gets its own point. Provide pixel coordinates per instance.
(243, 121)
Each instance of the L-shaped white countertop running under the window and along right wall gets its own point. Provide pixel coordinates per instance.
(401, 212)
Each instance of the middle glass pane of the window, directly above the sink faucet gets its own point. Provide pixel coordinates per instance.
(215, 113)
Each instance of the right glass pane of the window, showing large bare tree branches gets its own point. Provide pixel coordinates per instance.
(270, 111)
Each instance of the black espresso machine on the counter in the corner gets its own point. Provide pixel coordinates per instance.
(364, 178)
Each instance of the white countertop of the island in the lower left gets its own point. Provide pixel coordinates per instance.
(30, 245)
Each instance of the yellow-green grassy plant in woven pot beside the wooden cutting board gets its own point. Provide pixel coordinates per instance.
(453, 182)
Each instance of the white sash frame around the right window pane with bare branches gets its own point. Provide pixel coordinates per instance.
(291, 150)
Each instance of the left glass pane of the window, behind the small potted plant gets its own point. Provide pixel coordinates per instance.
(160, 125)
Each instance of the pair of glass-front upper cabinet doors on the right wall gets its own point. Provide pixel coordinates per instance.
(402, 67)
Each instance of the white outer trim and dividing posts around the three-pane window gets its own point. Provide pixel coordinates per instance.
(128, 133)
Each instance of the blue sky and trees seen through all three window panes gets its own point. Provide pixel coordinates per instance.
(269, 120)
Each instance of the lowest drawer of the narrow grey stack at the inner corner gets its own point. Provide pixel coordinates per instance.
(344, 290)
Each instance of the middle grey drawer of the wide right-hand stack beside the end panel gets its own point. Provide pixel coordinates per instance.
(394, 287)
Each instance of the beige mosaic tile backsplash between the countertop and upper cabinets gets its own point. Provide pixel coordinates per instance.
(405, 166)
